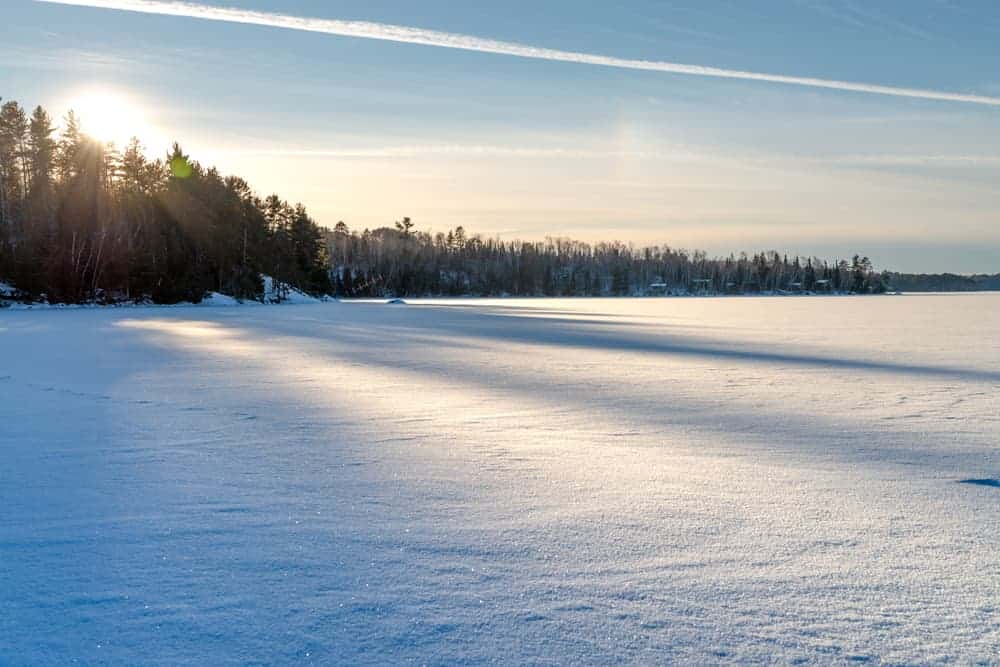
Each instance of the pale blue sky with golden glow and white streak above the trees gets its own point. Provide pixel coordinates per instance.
(370, 130)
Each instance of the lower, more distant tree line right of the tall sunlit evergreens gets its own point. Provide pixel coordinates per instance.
(398, 261)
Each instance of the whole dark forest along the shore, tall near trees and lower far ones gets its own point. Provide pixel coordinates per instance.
(82, 221)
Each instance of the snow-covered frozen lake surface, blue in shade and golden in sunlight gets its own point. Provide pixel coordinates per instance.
(520, 482)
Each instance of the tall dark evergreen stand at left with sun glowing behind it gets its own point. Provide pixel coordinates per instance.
(82, 221)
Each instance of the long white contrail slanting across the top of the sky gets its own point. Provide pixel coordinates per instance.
(396, 33)
